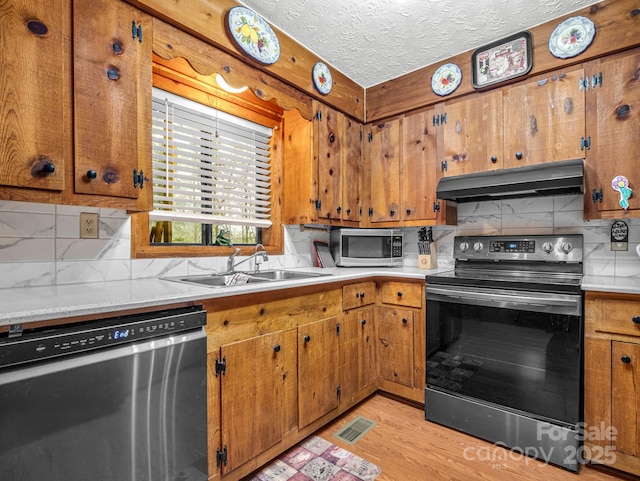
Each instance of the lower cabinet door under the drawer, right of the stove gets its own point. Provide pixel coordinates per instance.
(625, 398)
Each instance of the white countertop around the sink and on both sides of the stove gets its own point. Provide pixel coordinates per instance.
(30, 304)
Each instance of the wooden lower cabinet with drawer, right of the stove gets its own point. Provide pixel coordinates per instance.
(611, 378)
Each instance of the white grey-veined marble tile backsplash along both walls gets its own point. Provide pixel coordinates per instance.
(40, 243)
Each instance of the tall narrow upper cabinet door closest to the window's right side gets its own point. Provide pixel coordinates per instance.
(330, 140)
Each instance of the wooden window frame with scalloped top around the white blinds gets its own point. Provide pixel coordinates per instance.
(178, 77)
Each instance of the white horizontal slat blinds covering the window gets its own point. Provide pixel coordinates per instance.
(208, 166)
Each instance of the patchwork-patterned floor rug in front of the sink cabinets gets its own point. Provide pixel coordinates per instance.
(318, 460)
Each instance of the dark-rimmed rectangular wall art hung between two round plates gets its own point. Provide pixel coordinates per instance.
(505, 59)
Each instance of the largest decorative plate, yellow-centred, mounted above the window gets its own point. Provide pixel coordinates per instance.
(253, 35)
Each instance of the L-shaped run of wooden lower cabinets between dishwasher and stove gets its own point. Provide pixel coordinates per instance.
(282, 365)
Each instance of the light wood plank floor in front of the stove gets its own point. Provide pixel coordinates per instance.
(408, 448)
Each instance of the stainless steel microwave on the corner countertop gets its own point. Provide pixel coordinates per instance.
(367, 247)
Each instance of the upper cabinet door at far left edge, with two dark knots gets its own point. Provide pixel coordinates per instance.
(33, 86)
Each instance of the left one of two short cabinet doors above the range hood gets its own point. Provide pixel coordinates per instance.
(470, 134)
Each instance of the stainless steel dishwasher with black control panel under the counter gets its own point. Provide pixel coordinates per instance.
(119, 399)
